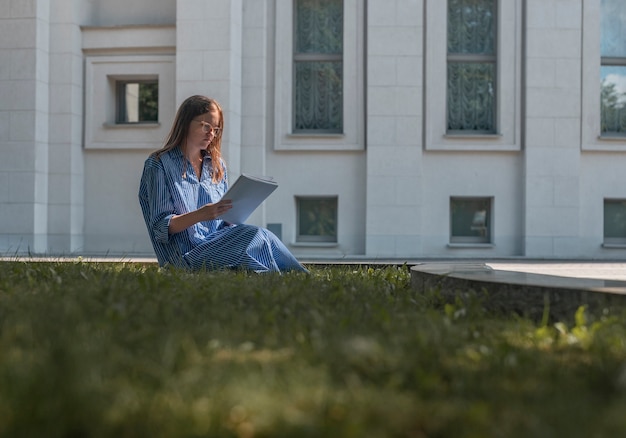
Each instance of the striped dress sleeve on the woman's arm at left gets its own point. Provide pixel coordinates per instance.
(155, 200)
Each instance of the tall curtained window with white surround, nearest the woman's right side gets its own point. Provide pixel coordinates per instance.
(319, 103)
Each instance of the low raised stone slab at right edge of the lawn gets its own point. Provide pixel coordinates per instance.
(529, 287)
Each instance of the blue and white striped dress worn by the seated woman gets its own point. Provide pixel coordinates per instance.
(165, 192)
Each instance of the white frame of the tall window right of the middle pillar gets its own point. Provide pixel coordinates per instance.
(507, 135)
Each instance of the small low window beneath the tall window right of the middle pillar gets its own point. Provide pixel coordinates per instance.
(470, 220)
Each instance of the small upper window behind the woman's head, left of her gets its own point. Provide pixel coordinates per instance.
(137, 101)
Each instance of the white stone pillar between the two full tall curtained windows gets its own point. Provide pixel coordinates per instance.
(394, 129)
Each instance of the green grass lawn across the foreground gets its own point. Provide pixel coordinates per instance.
(124, 350)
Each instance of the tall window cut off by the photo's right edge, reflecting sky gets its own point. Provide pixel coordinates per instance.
(613, 69)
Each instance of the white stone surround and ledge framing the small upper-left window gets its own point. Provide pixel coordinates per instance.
(122, 53)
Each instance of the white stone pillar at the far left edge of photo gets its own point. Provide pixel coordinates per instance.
(24, 67)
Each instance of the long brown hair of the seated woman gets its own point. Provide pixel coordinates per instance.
(191, 108)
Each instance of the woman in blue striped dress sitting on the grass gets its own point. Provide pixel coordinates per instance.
(180, 196)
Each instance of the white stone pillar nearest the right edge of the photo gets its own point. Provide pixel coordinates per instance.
(552, 121)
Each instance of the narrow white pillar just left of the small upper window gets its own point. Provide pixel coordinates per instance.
(66, 175)
